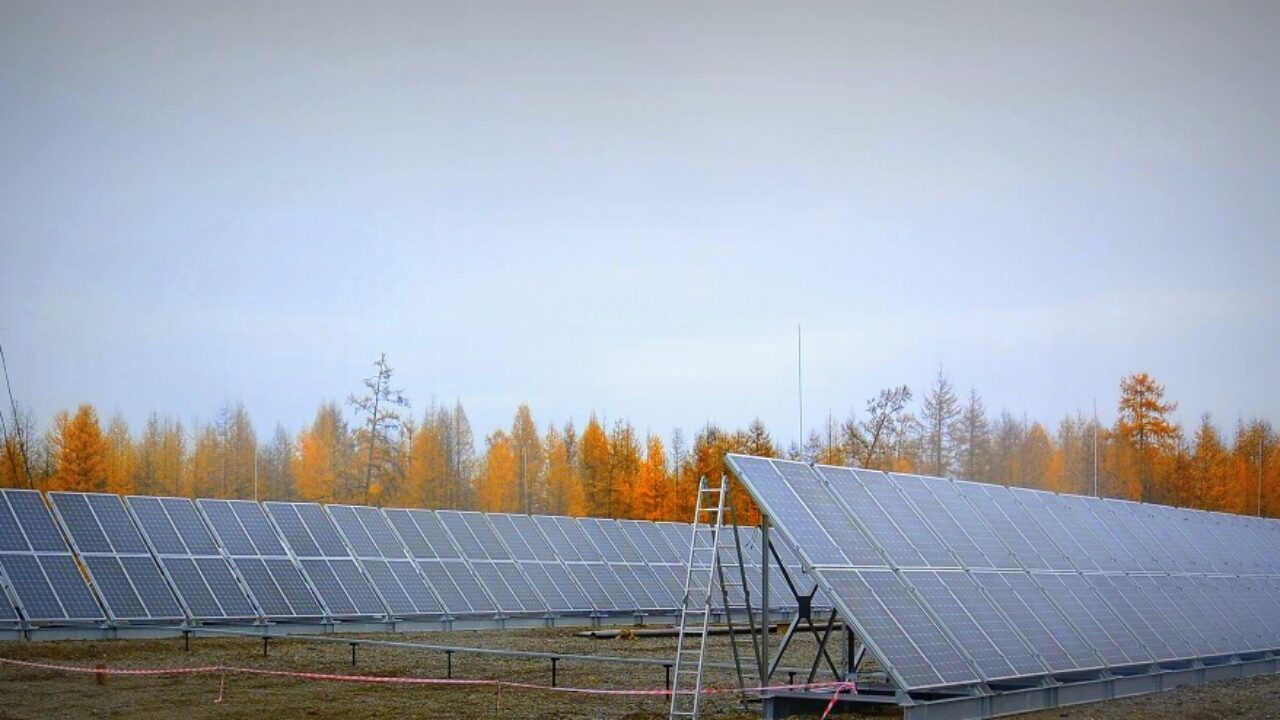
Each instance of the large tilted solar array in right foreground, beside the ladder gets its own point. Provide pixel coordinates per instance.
(954, 584)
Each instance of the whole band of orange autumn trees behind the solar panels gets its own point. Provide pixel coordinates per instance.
(372, 450)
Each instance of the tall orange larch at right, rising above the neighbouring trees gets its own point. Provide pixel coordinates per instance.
(1146, 431)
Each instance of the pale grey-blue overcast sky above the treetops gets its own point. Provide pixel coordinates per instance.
(629, 208)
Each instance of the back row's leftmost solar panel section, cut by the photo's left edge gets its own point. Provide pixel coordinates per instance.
(40, 576)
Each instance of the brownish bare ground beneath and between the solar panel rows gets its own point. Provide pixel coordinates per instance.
(31, 694)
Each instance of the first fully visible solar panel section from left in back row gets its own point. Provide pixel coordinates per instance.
(118, 560)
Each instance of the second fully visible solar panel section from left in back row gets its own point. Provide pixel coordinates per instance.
(190, 558)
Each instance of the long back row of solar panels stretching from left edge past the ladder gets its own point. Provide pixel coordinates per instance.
(164, 559)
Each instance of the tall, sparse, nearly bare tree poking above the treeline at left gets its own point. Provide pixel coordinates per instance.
(380, 434)
